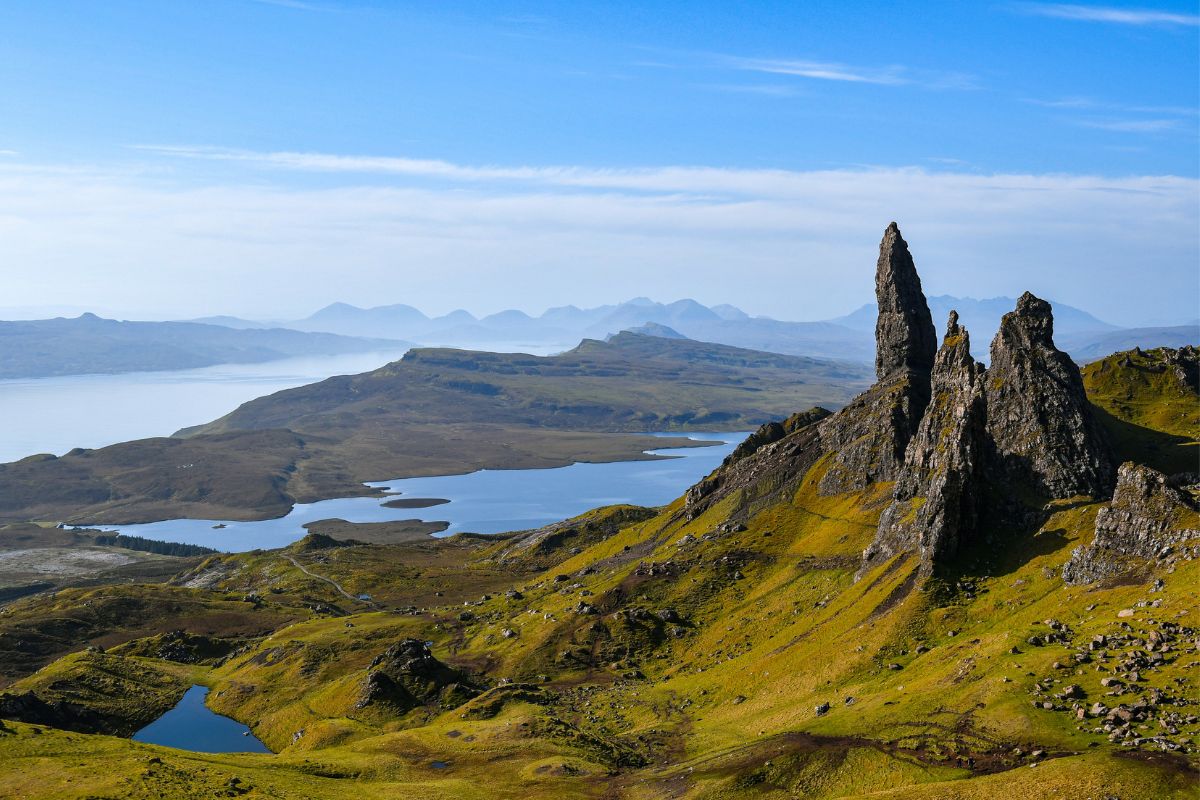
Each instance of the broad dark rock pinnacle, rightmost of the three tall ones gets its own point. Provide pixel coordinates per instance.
(1040, 422)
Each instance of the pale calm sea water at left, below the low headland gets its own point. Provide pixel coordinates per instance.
(56, 414)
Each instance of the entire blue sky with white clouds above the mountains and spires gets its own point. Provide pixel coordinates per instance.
(267, 158)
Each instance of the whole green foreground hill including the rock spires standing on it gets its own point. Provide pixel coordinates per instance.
(911, 598)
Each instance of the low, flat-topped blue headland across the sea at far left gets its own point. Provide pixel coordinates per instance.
(92, 345)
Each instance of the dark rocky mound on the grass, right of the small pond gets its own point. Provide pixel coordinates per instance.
(407, 676)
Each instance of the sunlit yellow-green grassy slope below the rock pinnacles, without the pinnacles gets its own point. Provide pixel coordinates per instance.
(721, 705)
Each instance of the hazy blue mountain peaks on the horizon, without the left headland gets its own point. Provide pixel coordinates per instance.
(849, 338)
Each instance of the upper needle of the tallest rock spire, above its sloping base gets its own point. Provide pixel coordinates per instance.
(904, 330)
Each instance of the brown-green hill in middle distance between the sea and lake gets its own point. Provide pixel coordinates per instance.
(435, 412)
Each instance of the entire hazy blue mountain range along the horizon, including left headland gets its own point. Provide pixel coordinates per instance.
(92, 345)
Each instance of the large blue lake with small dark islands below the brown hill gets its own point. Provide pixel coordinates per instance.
(488, 502)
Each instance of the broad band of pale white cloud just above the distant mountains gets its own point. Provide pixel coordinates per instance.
(794, 245)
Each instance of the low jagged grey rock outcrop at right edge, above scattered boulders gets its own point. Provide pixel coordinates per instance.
(1149, 522)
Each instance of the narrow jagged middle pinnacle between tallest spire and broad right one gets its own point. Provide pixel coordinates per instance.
(935, 500)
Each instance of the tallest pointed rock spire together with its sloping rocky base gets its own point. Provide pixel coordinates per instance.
(872, 434)
